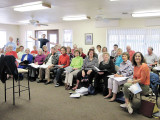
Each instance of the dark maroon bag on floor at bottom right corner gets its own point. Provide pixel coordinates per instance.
(148, 108)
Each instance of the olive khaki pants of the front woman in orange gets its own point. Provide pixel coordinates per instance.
(126, 91)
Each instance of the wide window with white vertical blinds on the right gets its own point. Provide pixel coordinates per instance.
(138, 39)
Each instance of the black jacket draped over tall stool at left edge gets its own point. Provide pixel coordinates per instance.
(8, 66)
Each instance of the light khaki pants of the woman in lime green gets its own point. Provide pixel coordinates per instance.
(69, 77)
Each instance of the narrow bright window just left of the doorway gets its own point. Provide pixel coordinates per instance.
(29, 41)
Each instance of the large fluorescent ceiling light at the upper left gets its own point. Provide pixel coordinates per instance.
(32, 6)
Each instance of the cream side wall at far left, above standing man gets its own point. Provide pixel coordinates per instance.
(12, 30)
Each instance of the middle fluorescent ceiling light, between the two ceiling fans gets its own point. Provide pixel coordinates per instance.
(78, 17)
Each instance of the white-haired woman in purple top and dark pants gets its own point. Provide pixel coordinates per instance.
(39, 60)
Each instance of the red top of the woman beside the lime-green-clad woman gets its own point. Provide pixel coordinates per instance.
(64, 60)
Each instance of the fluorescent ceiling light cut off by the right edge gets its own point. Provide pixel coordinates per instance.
(146, 14)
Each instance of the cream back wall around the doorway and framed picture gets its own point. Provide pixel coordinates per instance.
(79, 30)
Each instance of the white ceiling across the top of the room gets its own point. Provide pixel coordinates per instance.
(62, 8)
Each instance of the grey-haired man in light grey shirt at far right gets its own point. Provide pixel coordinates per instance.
(151, 58)
